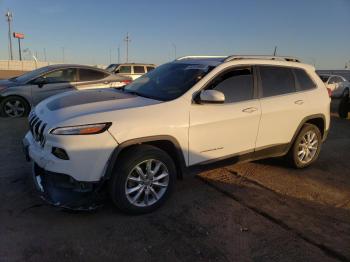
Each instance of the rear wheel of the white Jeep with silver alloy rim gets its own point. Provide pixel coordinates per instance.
(304, 143)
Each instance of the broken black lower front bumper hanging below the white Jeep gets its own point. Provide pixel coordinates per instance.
(63, 191)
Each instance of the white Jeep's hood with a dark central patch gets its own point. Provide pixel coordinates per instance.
(69, 105)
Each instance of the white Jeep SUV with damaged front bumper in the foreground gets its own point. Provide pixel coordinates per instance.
(135, 142)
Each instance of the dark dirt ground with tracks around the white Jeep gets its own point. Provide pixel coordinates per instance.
(260, 211)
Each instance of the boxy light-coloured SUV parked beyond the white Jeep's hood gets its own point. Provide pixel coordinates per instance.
(131, 70)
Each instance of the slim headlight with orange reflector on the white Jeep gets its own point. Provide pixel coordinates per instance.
(90, 129)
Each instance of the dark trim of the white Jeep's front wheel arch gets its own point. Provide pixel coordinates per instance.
(167, 143)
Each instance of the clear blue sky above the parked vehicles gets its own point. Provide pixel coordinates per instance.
(90, 32)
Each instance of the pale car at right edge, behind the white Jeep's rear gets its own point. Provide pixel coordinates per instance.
(338, 85)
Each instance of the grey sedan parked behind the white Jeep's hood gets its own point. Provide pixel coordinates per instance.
(19, 94)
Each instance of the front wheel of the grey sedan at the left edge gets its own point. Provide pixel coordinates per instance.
(14, 106)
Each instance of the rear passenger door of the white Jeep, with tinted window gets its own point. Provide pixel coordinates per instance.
(283, 107)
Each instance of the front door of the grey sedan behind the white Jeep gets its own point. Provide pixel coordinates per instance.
(57, 81)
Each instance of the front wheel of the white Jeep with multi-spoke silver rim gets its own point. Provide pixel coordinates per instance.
(145, 193)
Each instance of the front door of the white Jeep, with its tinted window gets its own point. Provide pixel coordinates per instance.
(223, 130)
